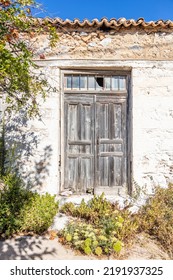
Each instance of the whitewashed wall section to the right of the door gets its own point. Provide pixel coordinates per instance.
(153, 124)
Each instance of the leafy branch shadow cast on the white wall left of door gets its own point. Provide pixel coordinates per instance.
(22, 154)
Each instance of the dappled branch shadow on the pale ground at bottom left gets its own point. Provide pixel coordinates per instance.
(26, 248)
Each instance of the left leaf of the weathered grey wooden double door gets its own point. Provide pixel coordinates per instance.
(79, 143)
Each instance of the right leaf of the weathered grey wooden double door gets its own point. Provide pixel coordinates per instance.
(111, 144)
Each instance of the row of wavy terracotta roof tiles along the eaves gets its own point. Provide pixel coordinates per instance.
(112, 23)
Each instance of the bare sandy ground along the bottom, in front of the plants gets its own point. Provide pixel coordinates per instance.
(48, 248)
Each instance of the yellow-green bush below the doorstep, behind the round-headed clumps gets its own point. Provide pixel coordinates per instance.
(102, 213)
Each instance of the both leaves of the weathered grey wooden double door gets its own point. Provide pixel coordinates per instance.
(95, 140)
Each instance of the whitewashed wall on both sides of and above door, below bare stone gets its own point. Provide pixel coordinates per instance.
(152, 124)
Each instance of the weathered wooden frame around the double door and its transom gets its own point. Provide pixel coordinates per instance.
(129, 162)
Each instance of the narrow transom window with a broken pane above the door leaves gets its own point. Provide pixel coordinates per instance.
(94, 83)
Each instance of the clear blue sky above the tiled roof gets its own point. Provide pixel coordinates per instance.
(148, 9)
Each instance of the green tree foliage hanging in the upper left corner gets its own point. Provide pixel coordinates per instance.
(18, 83)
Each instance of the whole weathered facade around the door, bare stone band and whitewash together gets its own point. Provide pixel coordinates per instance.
(149, 58)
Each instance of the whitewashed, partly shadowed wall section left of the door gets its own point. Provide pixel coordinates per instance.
(36, 142)
